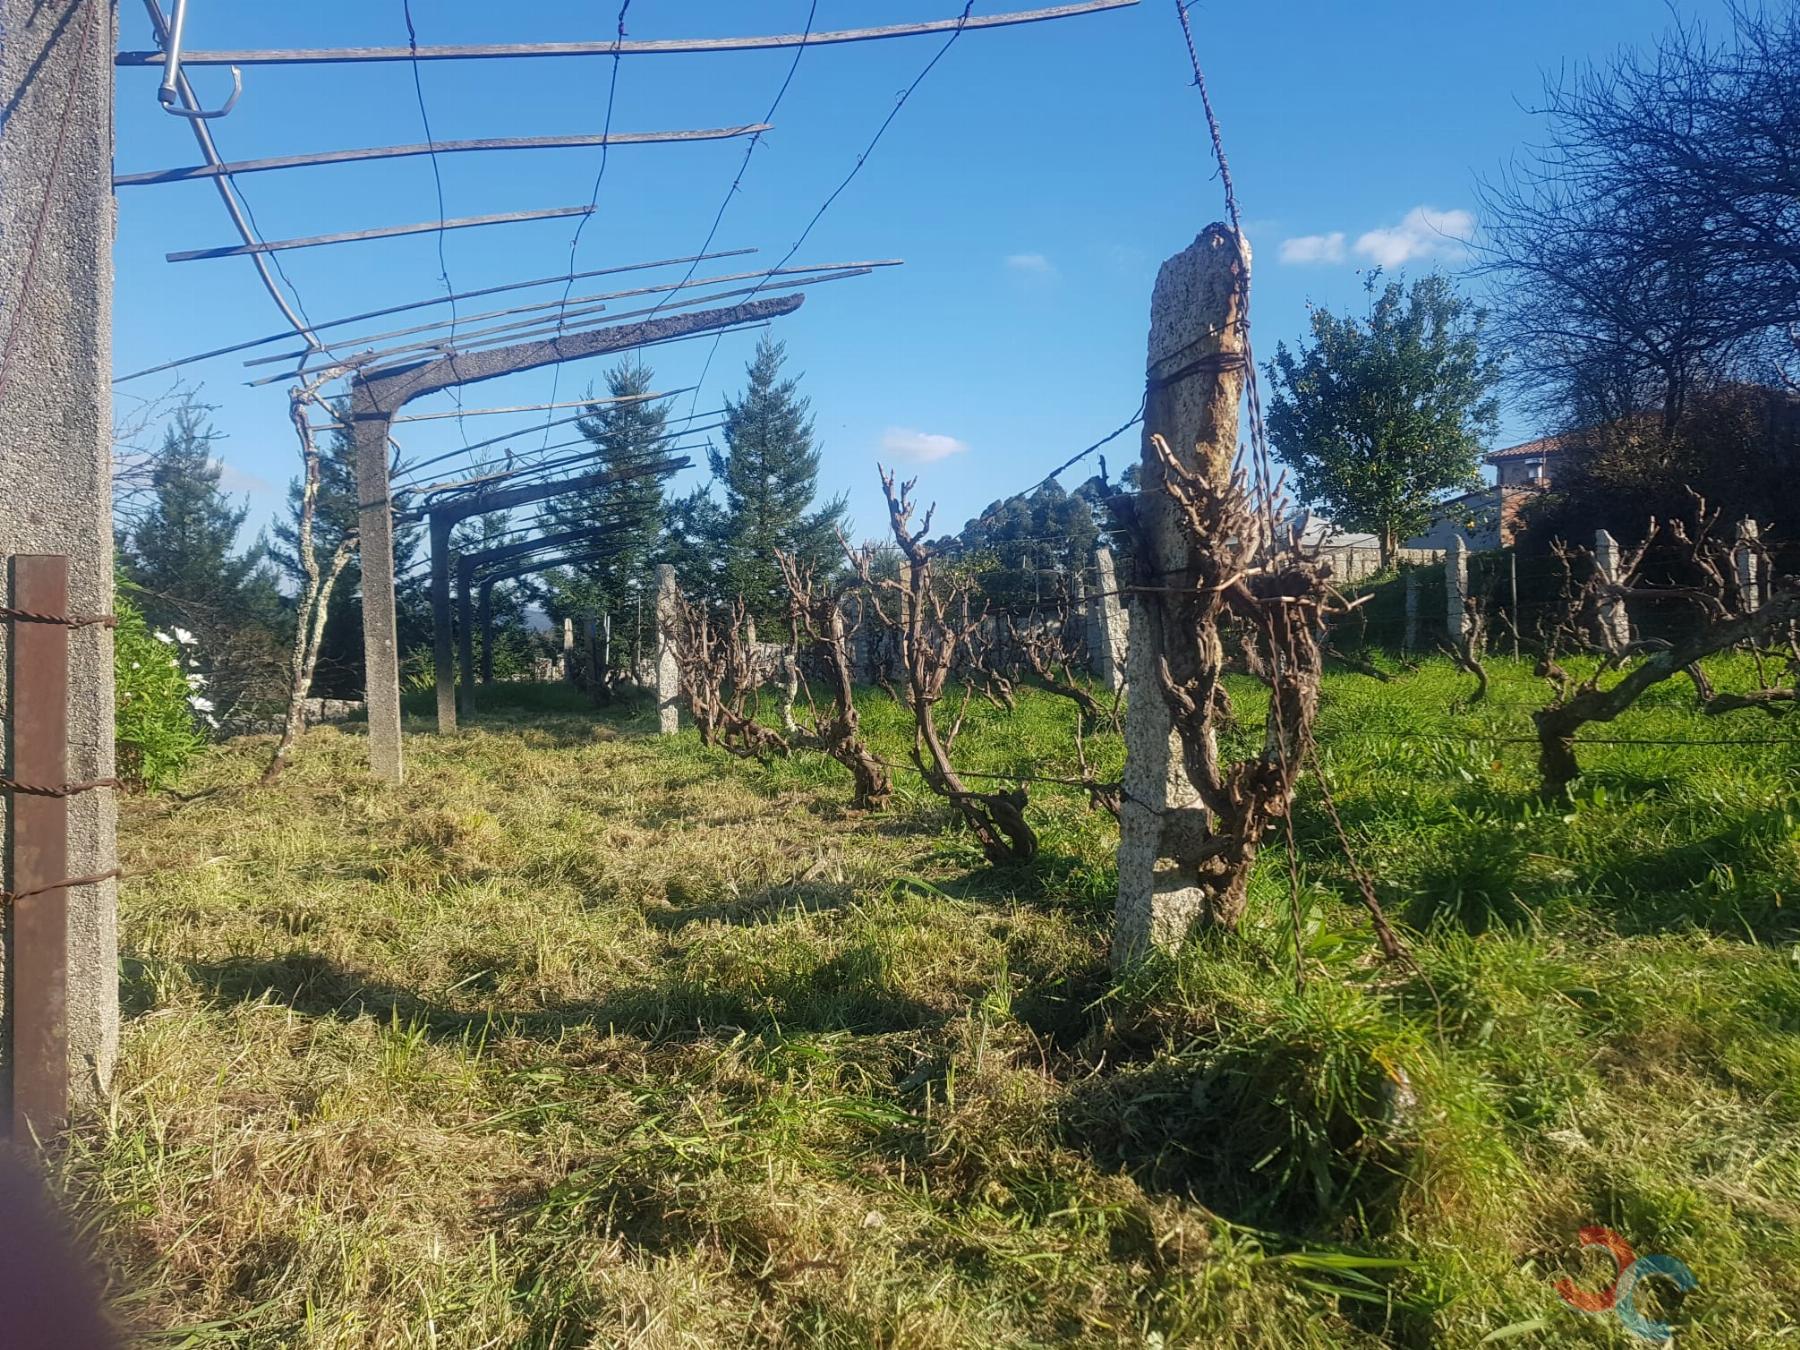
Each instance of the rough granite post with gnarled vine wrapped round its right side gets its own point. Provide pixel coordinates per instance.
(1194, 382)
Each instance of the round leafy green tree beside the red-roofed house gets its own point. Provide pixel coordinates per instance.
(1380, 417)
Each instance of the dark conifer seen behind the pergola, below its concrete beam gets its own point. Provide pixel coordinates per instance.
(627, 514)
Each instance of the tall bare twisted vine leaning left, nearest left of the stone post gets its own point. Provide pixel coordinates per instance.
(935, 625)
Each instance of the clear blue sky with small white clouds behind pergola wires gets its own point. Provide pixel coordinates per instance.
(1032, 184)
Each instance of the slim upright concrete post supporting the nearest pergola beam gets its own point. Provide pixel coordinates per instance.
(375, 555)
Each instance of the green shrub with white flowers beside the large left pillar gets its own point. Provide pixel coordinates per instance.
(157, 701)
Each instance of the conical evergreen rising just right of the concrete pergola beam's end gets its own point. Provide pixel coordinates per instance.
(769, 472)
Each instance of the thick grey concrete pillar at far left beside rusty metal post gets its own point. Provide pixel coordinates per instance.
(57, 84)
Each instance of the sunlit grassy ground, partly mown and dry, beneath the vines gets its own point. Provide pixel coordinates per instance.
(588, 1038)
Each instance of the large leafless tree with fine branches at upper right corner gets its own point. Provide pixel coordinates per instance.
(1651, 240)
